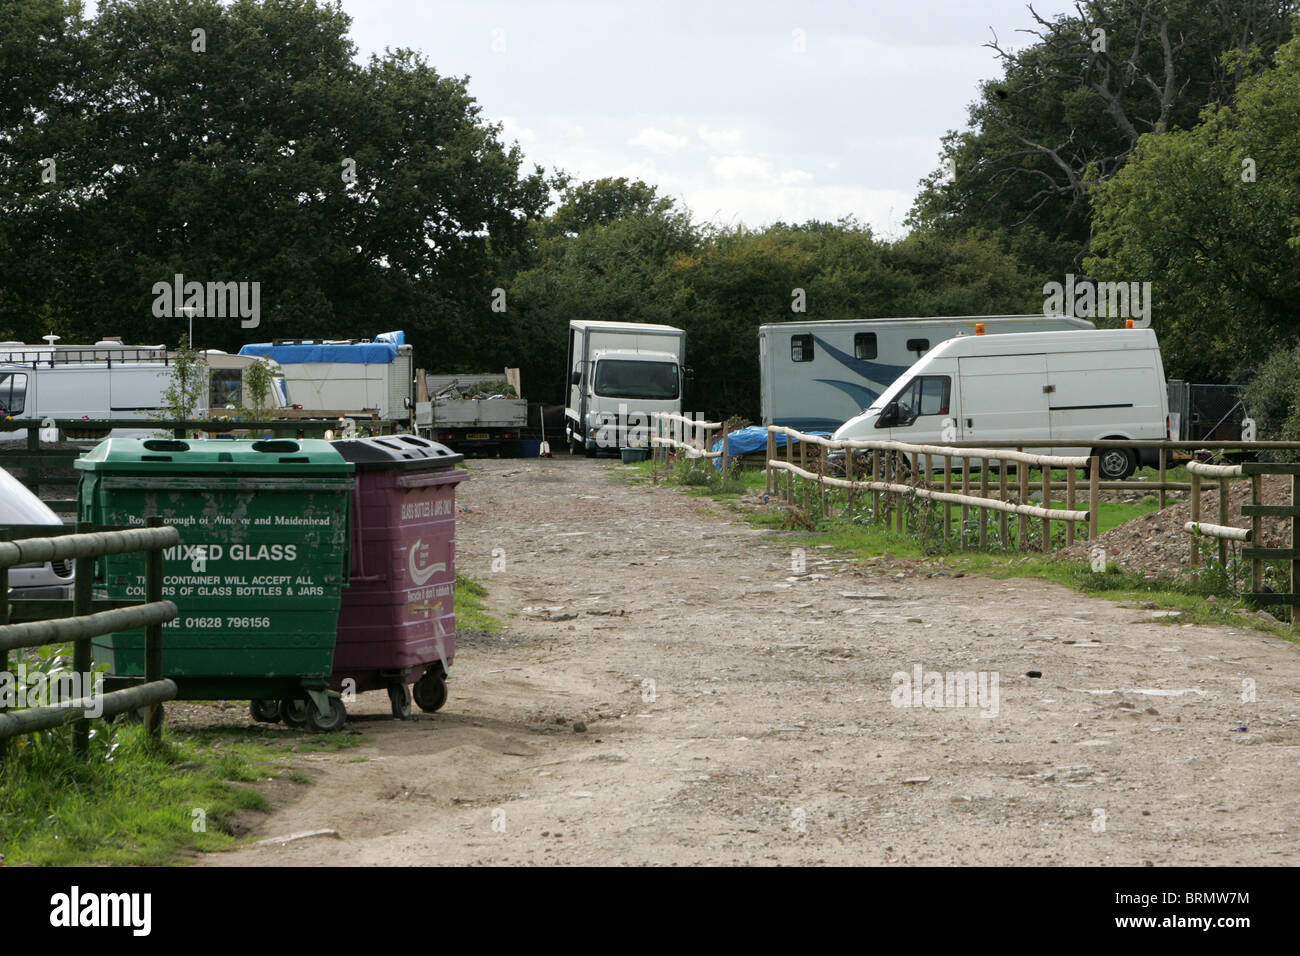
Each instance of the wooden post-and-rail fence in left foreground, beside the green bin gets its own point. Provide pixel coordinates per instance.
(84, 547)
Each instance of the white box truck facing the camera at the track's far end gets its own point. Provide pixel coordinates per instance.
(619, 375)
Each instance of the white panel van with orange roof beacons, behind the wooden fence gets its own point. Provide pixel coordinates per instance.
(1030, 387)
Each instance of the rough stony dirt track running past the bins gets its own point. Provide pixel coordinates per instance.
(769, 734)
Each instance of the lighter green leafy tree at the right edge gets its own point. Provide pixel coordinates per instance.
(1211, 217)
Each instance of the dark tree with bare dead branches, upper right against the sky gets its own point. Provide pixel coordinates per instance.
(1071, 109)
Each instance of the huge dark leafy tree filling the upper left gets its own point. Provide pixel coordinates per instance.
(259, 152)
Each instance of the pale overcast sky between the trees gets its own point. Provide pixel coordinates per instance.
(713, 102)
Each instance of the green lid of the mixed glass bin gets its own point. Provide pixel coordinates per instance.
(216, 457)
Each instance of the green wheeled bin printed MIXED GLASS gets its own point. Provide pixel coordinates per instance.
(258, 574)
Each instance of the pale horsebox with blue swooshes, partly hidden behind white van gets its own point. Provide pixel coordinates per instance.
(820, 375)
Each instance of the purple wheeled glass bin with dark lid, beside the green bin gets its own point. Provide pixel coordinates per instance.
(397, 625)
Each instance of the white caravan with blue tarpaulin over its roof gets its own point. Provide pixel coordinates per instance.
(346, 375)
